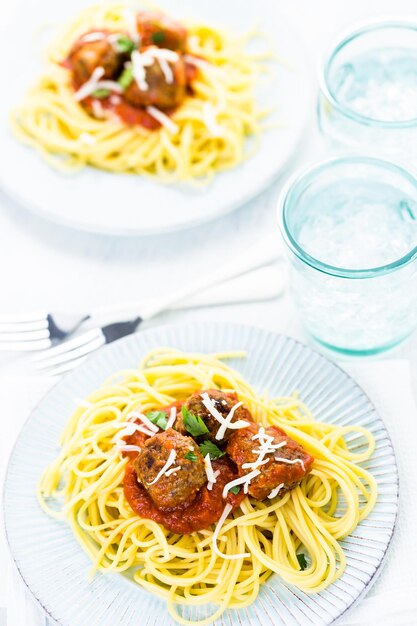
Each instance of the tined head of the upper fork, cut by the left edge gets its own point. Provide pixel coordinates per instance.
(36, 331)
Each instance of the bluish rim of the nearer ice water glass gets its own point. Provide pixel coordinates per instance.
(300, 179)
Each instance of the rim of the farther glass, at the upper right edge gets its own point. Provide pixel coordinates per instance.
(345, 39)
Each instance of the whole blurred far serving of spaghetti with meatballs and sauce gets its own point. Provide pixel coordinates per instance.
(139, 92)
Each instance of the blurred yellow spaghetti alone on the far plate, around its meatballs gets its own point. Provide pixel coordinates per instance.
(207, 133)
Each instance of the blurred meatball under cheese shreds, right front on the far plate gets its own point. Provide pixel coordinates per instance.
(160, 93)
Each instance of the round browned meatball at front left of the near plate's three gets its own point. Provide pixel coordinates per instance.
(180, 487)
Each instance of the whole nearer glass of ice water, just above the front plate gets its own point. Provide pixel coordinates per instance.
(350, 229)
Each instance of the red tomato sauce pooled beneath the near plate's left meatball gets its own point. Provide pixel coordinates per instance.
(202, 513)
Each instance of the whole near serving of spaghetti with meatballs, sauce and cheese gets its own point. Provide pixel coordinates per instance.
(182, 475)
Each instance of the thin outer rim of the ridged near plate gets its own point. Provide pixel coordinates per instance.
(189, 327)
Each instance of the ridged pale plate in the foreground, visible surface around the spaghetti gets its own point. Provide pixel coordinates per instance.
(56, 569)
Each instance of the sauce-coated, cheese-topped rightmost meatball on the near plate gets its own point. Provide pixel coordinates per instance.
(275, 472)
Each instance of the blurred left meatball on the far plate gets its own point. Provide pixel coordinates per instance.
(86, 56)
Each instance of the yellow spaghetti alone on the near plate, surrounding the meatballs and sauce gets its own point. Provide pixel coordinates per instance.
(295, 535)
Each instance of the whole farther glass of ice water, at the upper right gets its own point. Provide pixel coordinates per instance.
(368, 90)
